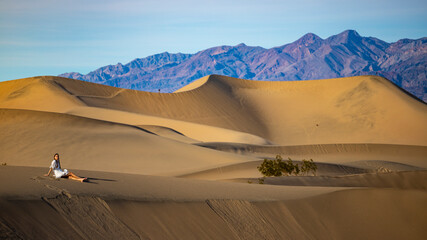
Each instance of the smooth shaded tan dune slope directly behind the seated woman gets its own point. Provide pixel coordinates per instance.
(98, 145)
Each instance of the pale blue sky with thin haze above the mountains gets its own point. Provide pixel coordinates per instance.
(50, 37)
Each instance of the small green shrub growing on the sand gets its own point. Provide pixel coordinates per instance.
(277, 167)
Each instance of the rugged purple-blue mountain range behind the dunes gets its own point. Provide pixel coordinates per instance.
(346, 54)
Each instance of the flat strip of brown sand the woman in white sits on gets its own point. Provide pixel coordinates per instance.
(30, 184)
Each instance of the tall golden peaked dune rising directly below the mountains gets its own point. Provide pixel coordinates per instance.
(348, 110)
